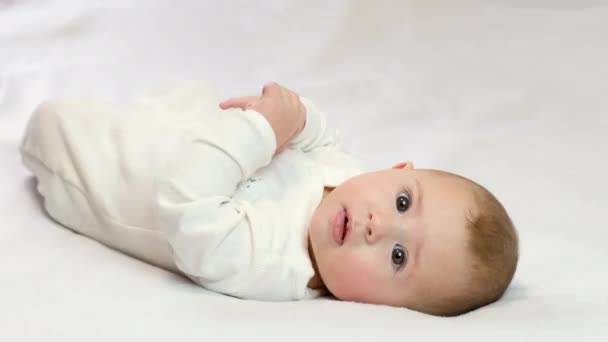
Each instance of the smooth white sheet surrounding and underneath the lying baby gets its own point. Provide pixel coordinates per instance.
(510, 93)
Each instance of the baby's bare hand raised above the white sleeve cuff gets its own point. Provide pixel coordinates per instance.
(280, 106)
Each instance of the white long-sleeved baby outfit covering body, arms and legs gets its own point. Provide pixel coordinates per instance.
(179, 183)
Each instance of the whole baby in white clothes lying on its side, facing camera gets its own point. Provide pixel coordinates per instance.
(258, 199)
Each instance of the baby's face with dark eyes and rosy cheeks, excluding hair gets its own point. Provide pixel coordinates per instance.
(392, 237)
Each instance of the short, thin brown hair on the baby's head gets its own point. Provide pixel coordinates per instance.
(494, 250)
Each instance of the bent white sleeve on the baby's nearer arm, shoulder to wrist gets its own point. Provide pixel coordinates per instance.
(207, 228)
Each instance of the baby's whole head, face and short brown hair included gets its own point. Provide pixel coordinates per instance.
(427, 240)
